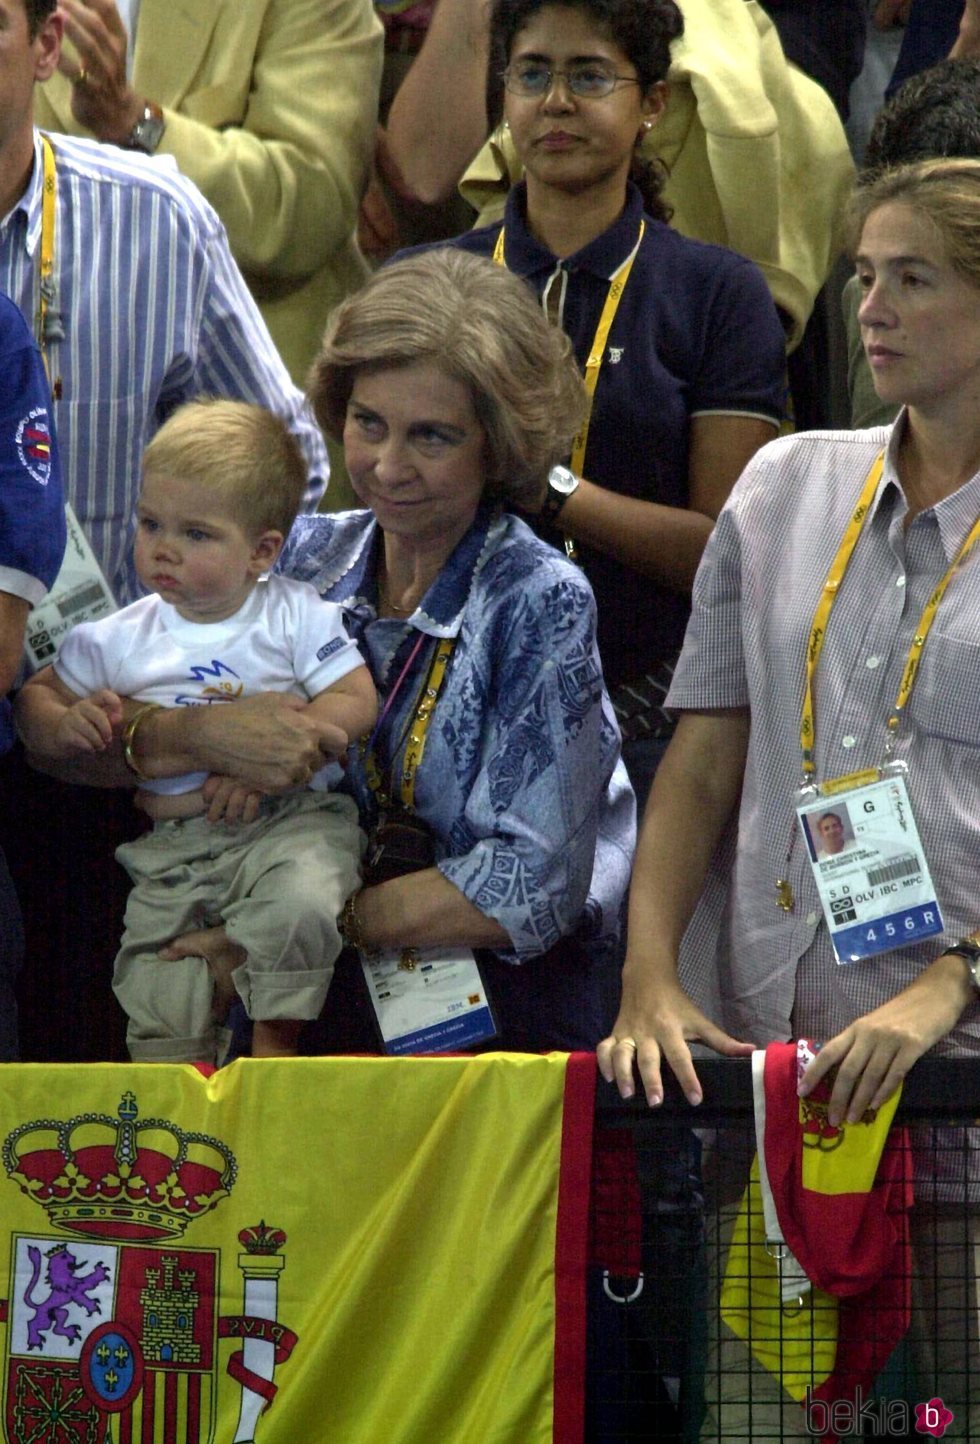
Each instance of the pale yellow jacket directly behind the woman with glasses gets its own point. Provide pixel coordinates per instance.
(757, 155)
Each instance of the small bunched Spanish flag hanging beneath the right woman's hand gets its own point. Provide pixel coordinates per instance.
(842, 1199)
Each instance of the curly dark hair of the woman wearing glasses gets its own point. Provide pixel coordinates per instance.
(643, 30)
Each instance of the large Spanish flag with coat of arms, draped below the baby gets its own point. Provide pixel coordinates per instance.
(295, 1251)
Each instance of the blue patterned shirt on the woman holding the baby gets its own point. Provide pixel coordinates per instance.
(520, 780)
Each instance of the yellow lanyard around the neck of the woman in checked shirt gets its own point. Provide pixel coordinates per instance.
(829, 597)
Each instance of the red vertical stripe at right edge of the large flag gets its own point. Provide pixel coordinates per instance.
(571, 1248)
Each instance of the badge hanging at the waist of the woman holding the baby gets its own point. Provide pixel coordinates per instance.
(429, 1000)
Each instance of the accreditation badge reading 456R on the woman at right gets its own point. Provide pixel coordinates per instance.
(868, 861)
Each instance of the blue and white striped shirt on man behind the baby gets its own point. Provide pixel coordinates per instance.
(149, 311)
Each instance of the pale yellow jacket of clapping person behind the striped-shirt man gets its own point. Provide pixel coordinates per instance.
(271, 108)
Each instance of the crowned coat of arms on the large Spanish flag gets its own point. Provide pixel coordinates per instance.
(113, 1322)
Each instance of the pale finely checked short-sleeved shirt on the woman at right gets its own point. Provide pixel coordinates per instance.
(773, 974)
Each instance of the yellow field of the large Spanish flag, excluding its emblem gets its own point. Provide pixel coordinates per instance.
(419, 1204)
